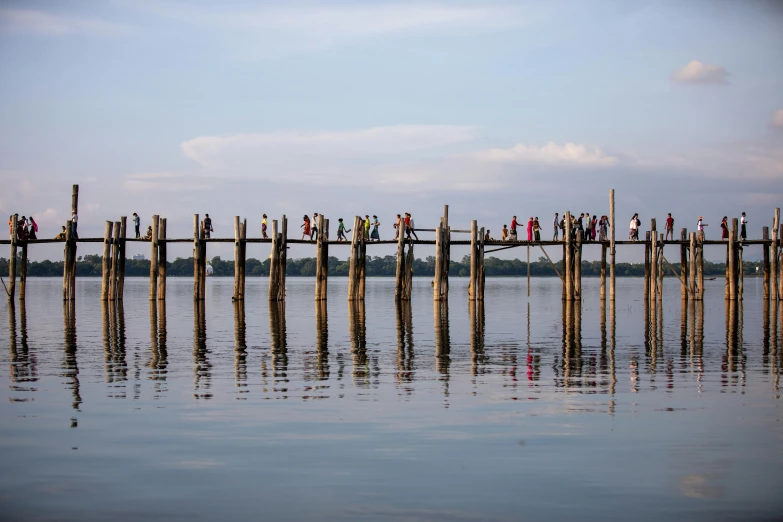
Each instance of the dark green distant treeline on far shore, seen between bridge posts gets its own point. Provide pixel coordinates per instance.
(378, 266)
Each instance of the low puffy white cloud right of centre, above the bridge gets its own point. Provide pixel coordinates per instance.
(550, 154)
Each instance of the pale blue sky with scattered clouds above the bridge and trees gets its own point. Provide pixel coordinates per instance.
(352, 108)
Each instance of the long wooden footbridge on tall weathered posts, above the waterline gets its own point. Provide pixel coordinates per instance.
(690, 247)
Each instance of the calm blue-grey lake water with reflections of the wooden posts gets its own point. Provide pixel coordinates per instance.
(517, 409)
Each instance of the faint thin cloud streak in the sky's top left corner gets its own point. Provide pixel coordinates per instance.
(53, 24)
